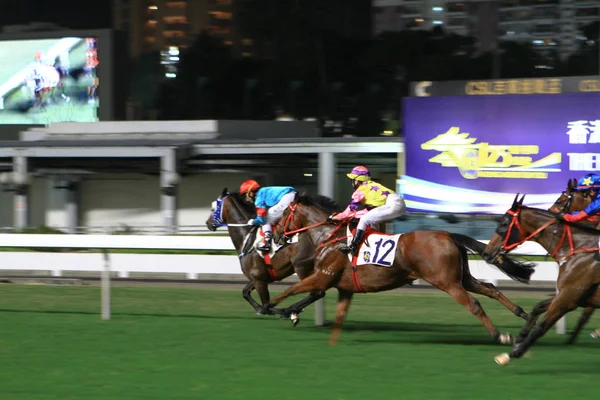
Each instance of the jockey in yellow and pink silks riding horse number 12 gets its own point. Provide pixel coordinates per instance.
(371, 202)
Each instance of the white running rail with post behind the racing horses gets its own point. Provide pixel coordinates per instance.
(191, 265)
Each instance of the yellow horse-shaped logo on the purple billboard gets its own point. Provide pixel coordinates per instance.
(482, 160)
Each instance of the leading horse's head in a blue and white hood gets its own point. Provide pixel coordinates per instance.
(229, 208)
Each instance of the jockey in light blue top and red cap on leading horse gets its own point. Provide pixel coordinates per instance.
(270, 203)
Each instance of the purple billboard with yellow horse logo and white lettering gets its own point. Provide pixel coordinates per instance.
(473, 154)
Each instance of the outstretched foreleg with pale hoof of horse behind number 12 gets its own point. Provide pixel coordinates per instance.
(566, 300)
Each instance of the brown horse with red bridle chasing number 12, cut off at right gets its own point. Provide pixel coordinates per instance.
(573, 246)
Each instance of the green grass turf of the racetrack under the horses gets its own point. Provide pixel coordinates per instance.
(199, 343)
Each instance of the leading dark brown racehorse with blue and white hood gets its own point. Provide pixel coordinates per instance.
(231, 209)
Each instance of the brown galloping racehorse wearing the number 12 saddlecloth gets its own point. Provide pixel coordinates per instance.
(437, 257)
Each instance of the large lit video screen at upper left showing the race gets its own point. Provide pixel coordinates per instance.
(48, 80)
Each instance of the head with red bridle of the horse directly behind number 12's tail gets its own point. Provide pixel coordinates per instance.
(509, 233)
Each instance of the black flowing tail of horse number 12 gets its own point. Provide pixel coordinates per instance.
(516, 270)
